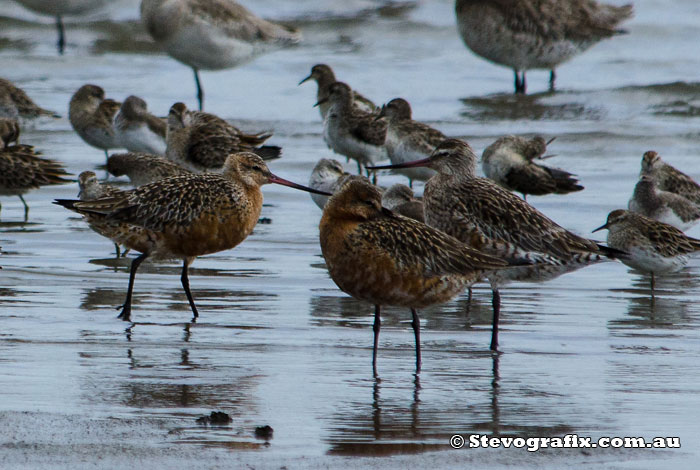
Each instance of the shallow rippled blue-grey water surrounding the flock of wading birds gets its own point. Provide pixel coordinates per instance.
(277, 343)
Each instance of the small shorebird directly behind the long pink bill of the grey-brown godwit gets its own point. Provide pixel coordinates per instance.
(408, 140)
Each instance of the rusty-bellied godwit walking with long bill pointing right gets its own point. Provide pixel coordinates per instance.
(186, 216)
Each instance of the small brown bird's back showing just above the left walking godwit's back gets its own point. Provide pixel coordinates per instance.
(143, 168)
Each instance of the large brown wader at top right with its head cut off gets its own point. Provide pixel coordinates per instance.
(536, 34)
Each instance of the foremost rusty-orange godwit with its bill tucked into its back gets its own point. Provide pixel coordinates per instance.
(379, 257)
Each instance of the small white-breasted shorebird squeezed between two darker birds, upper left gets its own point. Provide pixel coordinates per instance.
(137, 130)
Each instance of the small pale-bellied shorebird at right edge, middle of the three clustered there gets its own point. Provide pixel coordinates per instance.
(663, 206)
